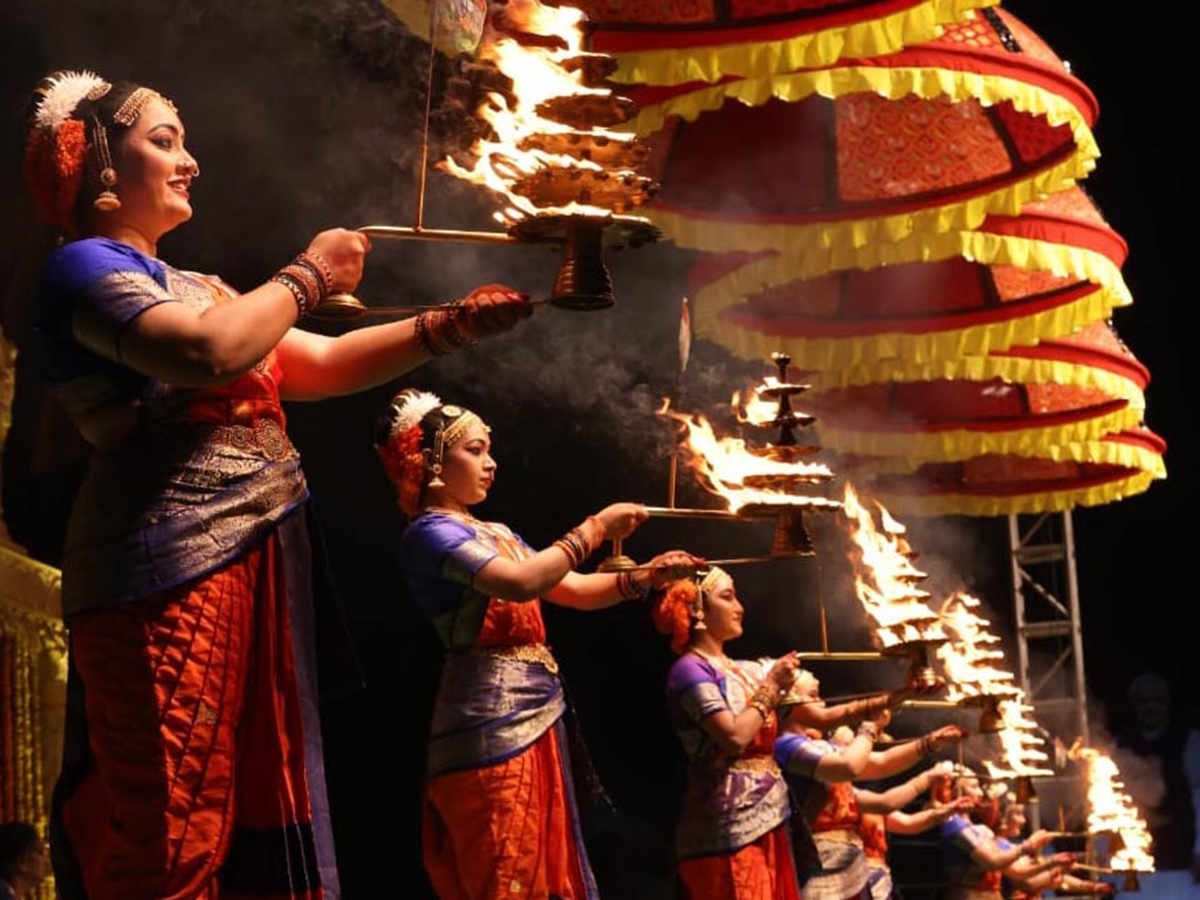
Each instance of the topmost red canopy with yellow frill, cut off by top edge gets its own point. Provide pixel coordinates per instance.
(689, 41)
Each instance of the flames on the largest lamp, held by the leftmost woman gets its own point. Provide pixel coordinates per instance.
(538, 75)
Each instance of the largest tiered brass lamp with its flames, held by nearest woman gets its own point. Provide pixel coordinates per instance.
(550, 155)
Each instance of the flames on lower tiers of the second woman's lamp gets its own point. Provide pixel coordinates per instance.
(725, 465)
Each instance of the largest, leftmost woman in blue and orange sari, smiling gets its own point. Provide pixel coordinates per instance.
(193, 760)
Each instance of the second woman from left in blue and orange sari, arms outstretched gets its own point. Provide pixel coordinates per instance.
(500, 812)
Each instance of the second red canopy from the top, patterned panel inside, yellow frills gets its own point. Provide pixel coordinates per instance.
(869, 152)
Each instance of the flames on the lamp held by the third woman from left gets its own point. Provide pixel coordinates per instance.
(885, 578)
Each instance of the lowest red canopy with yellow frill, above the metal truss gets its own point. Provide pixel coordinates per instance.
(1090, 473)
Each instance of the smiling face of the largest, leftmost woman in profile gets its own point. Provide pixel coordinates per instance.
(154, 173)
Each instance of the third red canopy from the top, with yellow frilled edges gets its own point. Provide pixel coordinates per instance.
(1016, 281)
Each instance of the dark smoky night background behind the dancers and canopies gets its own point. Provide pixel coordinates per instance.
(305, 116)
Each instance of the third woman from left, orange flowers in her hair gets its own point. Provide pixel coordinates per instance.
(733, 838)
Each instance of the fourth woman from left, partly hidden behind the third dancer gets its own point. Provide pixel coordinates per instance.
(819, 777)
